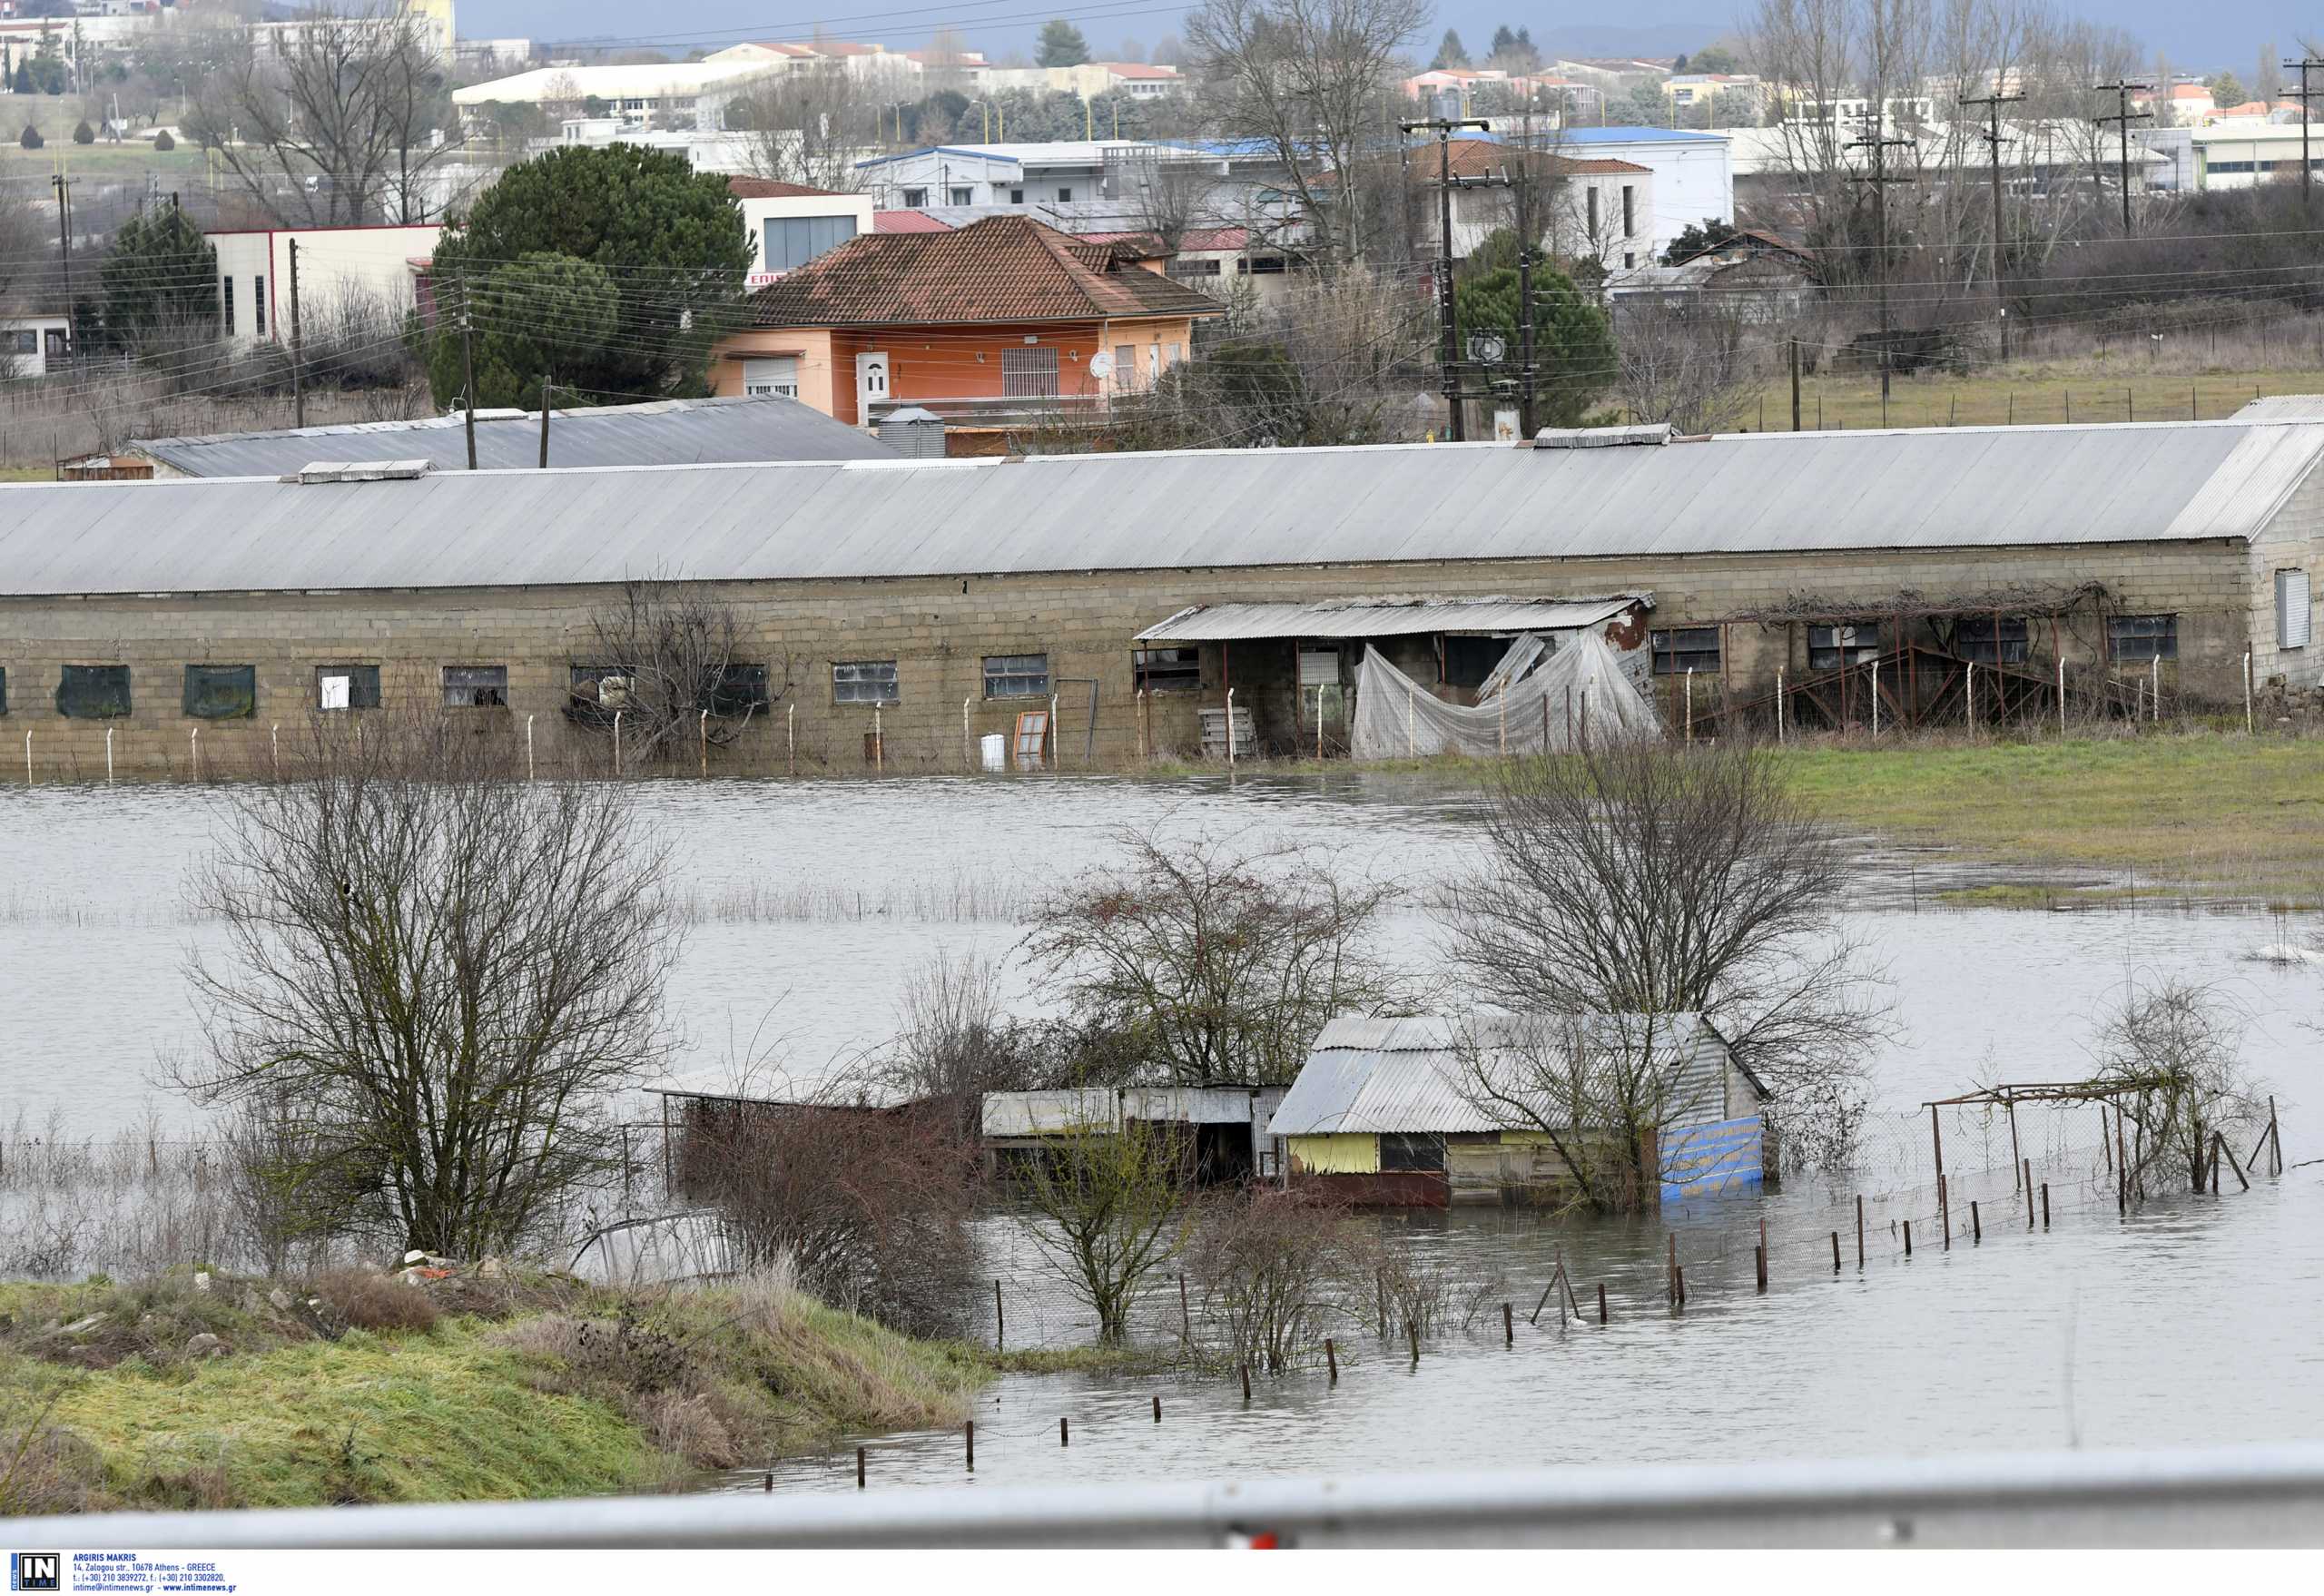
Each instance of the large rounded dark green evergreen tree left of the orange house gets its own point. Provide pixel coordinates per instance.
(668, 238)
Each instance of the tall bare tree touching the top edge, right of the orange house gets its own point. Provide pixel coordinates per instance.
(1312, 80)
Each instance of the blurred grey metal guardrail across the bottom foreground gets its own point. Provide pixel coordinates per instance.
(2269, 1495)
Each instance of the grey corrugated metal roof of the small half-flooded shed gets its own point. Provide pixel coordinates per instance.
(1403, 1077)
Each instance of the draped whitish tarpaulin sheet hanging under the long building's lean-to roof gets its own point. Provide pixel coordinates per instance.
(1586, 680)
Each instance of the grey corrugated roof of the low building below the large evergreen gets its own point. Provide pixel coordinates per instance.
(661, 433)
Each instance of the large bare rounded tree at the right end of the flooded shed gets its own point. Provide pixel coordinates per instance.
(1635, 884)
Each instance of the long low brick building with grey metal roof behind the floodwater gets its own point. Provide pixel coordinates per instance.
(1909, 577)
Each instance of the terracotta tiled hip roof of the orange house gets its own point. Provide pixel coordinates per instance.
(1005, 268)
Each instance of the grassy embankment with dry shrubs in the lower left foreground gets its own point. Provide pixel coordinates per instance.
(457, 1393)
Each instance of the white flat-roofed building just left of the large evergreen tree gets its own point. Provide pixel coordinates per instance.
(340, 271)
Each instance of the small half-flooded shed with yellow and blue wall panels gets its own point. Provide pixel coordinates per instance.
(1433, 1112)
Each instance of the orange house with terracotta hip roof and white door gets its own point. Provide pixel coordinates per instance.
(996, 322)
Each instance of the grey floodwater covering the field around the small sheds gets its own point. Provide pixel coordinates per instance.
(2190, 1321)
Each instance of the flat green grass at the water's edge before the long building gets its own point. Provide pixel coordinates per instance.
(2176, 812)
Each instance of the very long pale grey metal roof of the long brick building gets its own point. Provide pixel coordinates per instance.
(1214, 510)
